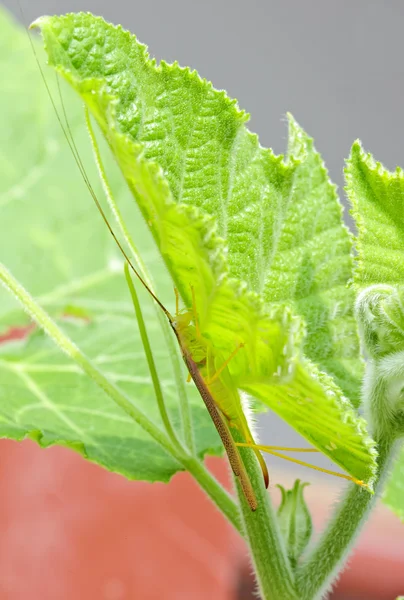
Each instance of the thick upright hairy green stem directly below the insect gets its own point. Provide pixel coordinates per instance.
(271, 564)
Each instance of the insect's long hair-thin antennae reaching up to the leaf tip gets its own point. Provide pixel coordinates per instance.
(67, 132)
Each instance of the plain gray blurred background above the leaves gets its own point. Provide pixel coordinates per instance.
(337, 66)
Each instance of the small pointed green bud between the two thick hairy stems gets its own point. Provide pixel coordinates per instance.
(295, 520)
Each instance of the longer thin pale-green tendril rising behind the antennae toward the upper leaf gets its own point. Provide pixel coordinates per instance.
(171, 346)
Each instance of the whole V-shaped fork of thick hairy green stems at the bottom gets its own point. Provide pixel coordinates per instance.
(276, 579)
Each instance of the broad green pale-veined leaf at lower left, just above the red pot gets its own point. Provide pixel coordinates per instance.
(47, 398)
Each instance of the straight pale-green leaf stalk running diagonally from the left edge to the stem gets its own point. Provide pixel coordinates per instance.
(207, 482)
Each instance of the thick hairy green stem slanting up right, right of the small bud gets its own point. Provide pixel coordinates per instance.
(327, 558)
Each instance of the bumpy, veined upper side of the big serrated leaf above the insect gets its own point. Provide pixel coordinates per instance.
(263, 207)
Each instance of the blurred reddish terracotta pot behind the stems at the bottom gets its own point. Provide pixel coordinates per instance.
(72, 530)
